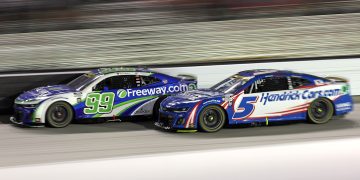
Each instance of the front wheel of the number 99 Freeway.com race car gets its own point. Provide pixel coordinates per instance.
(59, 115)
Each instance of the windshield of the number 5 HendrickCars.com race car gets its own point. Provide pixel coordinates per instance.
(230, 85)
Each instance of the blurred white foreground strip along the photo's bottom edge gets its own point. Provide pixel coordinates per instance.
(335, 159)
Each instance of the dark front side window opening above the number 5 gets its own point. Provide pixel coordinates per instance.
(268, 84)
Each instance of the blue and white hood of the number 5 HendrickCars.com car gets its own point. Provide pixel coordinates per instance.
(191, 97)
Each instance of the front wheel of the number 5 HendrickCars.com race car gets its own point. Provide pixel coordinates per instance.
(212, 118)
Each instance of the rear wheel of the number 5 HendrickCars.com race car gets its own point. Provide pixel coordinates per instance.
(320, 111)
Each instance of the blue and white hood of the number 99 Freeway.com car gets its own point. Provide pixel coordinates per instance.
(44, 92)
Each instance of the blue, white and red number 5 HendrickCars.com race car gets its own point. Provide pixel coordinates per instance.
(257, 97)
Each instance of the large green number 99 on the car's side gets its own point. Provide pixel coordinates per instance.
(99, 103)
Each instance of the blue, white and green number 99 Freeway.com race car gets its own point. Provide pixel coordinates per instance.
(107, 93)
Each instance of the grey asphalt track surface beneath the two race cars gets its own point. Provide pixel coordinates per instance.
(27, 146)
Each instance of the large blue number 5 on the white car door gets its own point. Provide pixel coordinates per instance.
(246, 108)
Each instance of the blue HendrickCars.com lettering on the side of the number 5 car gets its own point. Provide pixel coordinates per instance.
(298, 95)
